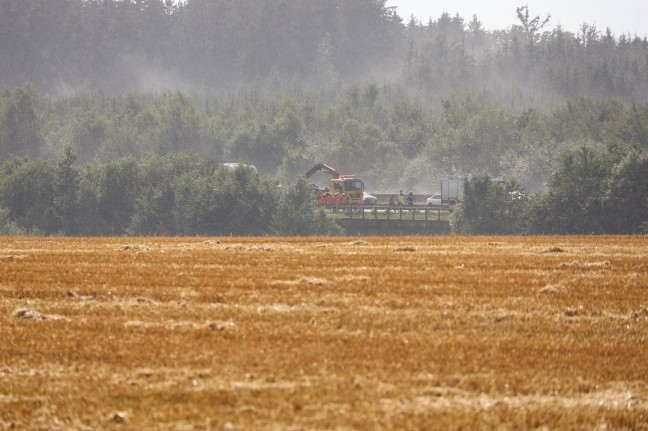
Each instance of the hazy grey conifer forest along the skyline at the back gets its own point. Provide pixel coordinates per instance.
(124, 45)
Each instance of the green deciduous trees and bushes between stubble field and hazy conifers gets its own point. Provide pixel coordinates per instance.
(108, 176)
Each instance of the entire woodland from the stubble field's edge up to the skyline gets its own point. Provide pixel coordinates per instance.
(97, 92)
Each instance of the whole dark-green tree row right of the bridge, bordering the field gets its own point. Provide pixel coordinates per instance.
(590, 193)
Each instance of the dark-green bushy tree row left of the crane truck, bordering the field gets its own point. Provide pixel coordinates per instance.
(176, 194)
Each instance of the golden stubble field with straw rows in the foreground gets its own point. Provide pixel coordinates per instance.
(324, 333)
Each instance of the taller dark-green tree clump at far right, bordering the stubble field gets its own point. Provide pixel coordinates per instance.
(592, 193)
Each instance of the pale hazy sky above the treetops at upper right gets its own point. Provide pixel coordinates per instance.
(622, 16)
